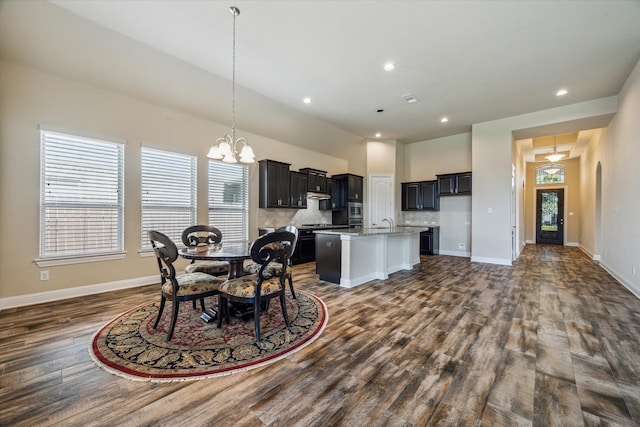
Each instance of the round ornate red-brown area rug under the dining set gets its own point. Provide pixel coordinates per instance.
(128, 345)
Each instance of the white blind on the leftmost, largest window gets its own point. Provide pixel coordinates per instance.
(81, 196)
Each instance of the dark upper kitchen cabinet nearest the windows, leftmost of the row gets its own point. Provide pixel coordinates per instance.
(274, 184)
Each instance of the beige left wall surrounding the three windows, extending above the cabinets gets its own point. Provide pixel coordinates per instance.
(29, 98)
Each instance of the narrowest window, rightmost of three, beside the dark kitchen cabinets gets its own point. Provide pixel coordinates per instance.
(228, 199)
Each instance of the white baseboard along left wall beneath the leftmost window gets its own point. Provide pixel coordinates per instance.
(78, 291)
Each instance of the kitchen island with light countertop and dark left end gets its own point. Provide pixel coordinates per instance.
(351, 256)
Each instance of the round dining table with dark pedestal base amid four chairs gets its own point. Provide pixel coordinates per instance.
(232, 251)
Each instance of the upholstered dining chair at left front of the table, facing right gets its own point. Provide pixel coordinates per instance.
(184, 287)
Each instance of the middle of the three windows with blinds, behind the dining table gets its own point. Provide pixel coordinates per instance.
(168, 194)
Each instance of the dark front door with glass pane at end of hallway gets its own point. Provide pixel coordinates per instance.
(550, 216)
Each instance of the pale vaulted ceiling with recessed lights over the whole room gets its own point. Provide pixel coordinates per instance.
(469, 61)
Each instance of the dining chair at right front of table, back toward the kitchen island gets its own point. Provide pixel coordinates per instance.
(272, 252)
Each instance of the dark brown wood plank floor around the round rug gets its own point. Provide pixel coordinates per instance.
(553, 340)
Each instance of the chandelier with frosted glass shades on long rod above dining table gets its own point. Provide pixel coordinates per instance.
(228, 147)
